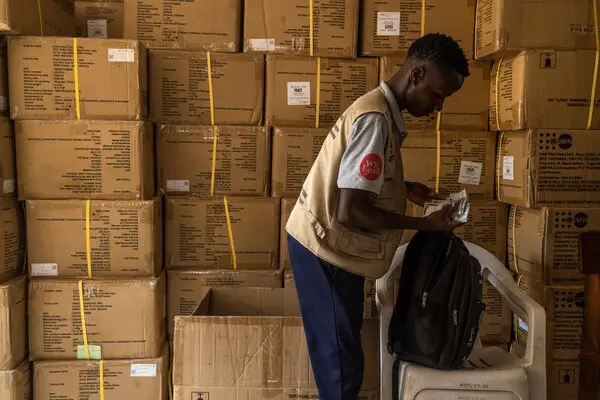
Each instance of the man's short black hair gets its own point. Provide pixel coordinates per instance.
(441, 50)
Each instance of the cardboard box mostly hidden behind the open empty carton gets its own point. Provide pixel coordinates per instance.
(187, 288)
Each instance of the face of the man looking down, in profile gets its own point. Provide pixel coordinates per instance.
(429, 87)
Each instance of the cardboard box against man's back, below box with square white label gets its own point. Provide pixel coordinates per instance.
(294, 152)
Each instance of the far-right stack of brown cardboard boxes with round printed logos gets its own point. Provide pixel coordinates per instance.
(544, 102)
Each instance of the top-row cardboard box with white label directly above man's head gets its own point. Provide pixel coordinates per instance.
(391, 26)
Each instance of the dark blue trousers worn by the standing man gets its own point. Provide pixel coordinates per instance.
(331, 303)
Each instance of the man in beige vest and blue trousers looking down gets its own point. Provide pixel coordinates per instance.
(348, 220)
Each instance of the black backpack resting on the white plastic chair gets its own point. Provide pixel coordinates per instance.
(439, 306)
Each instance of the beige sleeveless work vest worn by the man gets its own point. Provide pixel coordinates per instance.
(313, 221)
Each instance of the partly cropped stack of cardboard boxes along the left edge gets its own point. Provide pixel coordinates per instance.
(18, 17)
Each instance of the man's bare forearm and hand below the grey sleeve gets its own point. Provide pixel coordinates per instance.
(356, 209)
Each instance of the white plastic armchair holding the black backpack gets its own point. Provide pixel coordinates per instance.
(490, 373)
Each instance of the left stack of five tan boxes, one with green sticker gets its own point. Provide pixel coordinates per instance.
(85, 156)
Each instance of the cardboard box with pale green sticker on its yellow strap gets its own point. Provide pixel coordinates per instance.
(125, 318)
